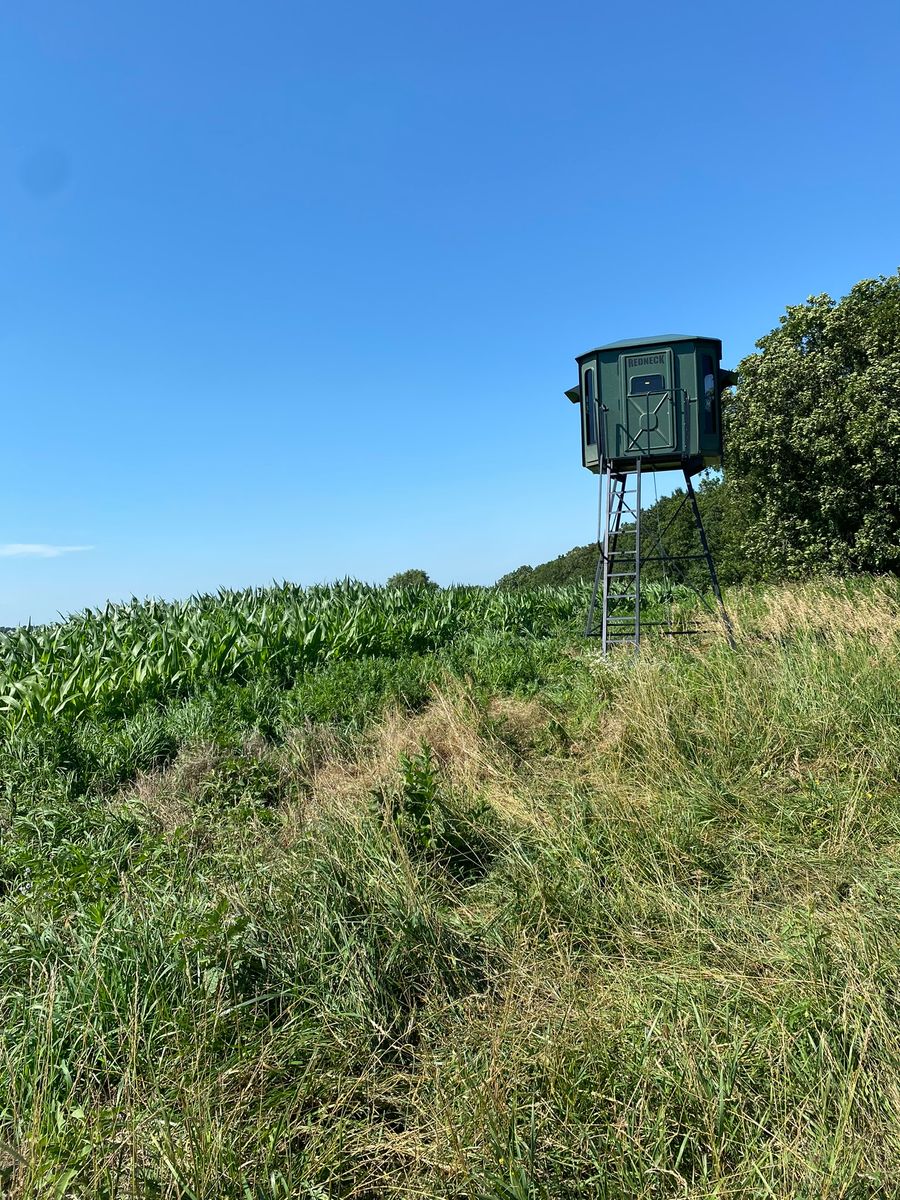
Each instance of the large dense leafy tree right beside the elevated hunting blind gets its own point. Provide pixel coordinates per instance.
(813, 435)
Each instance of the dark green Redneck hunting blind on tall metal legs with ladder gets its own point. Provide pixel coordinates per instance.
(647, 405)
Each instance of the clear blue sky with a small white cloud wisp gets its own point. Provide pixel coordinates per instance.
(293, 291)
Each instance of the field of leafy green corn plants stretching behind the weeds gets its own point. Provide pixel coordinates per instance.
(109, 663)
